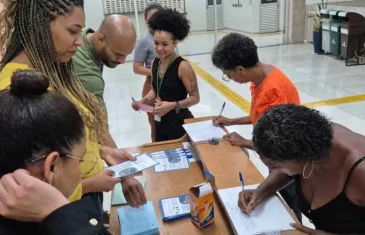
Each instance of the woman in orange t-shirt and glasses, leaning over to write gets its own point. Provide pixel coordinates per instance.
(236, 56)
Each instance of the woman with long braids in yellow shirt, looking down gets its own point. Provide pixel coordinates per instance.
(44, 35)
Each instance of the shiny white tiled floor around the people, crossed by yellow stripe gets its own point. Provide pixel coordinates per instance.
(317, 77)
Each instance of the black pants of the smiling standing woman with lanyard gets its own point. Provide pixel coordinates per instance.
(170, 127)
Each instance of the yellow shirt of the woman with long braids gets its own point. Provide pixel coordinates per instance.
(5, 81)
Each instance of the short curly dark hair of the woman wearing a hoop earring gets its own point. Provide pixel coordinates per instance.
(293, 133)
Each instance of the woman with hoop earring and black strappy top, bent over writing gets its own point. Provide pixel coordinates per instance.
(326, 161)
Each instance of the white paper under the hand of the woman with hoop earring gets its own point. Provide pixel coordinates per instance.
(268, 217)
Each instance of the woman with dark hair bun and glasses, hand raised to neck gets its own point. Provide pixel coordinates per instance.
(43, 134)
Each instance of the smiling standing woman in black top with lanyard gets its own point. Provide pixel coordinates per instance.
(174, 83)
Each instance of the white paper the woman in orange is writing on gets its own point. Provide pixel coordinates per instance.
(203, 131)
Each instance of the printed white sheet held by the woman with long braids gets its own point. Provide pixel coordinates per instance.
(127, 168)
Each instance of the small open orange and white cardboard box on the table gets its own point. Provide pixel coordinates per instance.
(202, 205)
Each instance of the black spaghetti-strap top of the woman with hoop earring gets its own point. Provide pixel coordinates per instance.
(338, 216)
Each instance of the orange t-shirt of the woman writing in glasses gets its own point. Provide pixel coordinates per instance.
(274, 90)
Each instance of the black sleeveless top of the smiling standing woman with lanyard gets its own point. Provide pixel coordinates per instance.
(172, 88)
